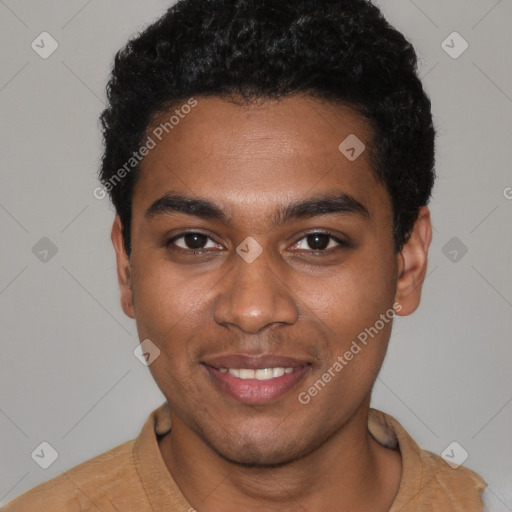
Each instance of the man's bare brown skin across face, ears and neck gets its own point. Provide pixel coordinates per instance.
(291, 301)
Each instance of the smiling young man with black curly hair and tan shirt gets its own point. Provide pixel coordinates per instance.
(270, 164)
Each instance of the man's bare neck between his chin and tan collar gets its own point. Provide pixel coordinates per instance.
(349, 470)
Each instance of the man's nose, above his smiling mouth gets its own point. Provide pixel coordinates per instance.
(253, 295)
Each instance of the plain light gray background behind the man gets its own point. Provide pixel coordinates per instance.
(68, 373)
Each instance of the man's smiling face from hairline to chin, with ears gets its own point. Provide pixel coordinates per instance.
(257, 245)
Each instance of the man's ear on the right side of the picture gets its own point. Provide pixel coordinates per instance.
(412, 264)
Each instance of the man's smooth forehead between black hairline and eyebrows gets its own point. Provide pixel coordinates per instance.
(277, 151)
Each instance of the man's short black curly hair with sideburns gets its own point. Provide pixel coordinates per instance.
(339, 50)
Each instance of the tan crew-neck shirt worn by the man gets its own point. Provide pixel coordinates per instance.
(133, 477)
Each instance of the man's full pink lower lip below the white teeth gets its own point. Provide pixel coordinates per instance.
(253, 391)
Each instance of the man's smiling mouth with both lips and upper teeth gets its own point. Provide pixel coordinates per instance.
(256, 379)
